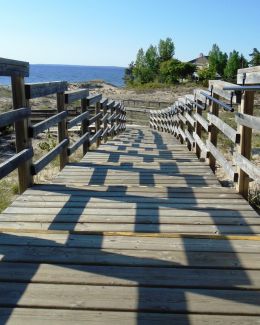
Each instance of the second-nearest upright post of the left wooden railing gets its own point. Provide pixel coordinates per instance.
(62, 129)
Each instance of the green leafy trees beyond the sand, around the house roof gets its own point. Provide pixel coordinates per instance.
(158, 64)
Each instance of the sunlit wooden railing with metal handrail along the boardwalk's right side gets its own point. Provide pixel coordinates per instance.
(186, 119)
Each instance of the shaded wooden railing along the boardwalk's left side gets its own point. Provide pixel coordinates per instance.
(109, 119)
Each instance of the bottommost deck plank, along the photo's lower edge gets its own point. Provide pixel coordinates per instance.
(61, 317)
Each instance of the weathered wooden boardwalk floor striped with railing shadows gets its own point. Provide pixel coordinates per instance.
(139, 232)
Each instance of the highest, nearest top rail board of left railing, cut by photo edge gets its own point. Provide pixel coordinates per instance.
(10, 68)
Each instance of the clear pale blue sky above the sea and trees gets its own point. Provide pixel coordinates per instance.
(109, 32)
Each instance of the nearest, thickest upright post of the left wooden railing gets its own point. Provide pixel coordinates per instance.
(21, 132)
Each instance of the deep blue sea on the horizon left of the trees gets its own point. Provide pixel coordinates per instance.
(72, 73)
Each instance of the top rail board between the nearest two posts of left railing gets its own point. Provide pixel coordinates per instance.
(34, 90)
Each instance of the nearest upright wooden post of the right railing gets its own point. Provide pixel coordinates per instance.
(245, 146)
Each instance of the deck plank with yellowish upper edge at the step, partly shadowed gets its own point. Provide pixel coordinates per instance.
(135, 241)
